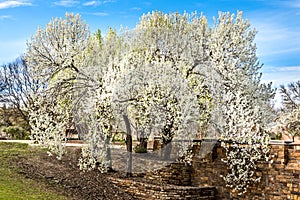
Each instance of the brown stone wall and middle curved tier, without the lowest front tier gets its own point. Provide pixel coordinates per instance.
(279, 179)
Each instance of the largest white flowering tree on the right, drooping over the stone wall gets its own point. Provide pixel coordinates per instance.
(223, 60)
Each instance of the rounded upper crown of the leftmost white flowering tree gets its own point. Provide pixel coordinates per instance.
(58, 47)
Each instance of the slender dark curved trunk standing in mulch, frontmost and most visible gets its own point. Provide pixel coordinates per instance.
(128, 146)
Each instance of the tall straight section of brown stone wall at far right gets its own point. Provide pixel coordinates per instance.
(280, 179)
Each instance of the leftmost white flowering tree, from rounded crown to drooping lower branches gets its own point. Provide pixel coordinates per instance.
(55, 56)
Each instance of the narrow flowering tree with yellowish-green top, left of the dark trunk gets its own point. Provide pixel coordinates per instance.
(102, 72)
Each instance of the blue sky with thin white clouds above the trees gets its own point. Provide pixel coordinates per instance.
(277, 23)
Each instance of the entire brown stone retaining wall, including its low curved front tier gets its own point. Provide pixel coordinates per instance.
(279, 179)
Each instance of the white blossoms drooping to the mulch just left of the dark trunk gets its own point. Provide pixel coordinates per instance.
(96, 131)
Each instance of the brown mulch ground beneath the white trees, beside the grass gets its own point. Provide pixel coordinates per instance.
(65, 177)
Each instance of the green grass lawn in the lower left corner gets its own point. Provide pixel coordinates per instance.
(14, 185)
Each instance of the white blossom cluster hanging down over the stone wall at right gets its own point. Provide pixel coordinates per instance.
(245, 141)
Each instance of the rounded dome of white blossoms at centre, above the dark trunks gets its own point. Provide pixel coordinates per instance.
(165, 105)
